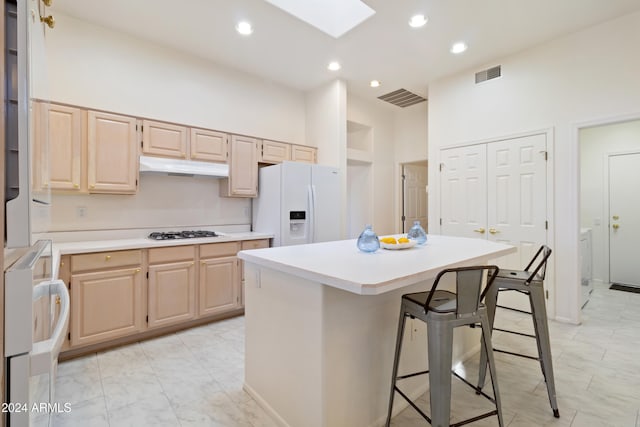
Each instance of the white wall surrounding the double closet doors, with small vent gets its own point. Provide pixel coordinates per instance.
(585, 76)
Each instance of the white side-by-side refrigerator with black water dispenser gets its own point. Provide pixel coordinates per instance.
(298, 203)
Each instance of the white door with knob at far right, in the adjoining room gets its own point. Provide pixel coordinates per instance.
(624, 222)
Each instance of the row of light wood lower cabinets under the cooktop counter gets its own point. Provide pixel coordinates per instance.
(112, 299)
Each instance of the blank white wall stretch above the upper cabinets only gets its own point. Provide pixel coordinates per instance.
(96, 67)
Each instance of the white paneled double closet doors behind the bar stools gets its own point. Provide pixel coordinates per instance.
(497, 191)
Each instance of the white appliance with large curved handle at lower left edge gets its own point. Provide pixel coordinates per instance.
(36, 311)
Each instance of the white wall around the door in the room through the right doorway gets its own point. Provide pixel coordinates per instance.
(595, 143)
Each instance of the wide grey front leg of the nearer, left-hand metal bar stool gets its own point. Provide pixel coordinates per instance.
(440, 341)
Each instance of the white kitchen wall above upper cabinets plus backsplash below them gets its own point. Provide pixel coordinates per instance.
(94, 67)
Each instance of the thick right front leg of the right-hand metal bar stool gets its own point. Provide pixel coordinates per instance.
(538, 309)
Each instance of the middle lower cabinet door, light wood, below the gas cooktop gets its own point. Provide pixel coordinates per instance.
(172, 293)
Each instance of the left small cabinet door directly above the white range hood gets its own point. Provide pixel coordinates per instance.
(164, 139)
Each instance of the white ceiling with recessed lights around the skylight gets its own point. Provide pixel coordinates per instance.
(288, 51)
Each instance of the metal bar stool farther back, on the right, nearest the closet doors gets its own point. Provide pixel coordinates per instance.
(530, 283)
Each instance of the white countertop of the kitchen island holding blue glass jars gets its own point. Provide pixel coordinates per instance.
(341, 265)
